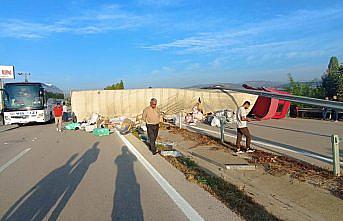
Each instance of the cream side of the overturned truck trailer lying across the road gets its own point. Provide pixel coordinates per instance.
(131, 103)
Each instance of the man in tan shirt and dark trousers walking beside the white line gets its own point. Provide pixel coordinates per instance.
(152, 117)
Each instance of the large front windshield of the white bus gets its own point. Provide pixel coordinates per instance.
(23, 97)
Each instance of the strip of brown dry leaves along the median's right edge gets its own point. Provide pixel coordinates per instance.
(274, 164)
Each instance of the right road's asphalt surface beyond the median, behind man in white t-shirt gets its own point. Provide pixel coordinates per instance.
(304, 139)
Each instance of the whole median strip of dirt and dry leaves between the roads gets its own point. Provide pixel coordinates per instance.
(287, 188)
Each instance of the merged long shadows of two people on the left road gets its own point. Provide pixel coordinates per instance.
(36, 203)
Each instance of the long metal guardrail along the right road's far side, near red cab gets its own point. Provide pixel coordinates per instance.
(298, 99)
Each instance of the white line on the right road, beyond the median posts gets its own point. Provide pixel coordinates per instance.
(305, 153)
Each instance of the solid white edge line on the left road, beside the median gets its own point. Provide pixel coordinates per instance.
(186, 208)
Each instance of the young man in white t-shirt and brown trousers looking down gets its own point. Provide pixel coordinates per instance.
(242, 128)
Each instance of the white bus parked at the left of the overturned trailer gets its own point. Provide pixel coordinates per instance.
(29, 102)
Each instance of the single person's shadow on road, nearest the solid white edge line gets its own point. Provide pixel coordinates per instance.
(127, 201)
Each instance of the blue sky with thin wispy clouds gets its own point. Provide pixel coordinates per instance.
(88, 44)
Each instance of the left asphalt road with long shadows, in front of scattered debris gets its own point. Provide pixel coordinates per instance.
(46, 175)
